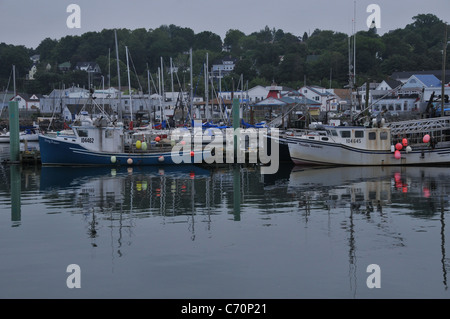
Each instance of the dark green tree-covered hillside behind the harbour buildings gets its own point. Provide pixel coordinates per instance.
(269, 55)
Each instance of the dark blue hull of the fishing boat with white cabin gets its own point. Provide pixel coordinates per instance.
(57, 151)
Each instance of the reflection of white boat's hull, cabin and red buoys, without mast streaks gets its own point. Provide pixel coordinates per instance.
(421, 188)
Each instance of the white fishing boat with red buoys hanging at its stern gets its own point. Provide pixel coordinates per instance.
(415, 142)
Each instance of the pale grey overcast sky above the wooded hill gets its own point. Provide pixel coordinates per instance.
(28, 22)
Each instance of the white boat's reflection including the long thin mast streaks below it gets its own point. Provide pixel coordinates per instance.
(373, 194)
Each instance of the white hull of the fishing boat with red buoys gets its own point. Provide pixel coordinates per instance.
(312, 152)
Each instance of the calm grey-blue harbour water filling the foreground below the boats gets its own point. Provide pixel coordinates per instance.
(192, 232)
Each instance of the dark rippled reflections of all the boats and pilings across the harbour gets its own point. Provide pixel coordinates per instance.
(363, 209)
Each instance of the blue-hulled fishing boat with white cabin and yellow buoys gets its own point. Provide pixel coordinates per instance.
(99, 139)
